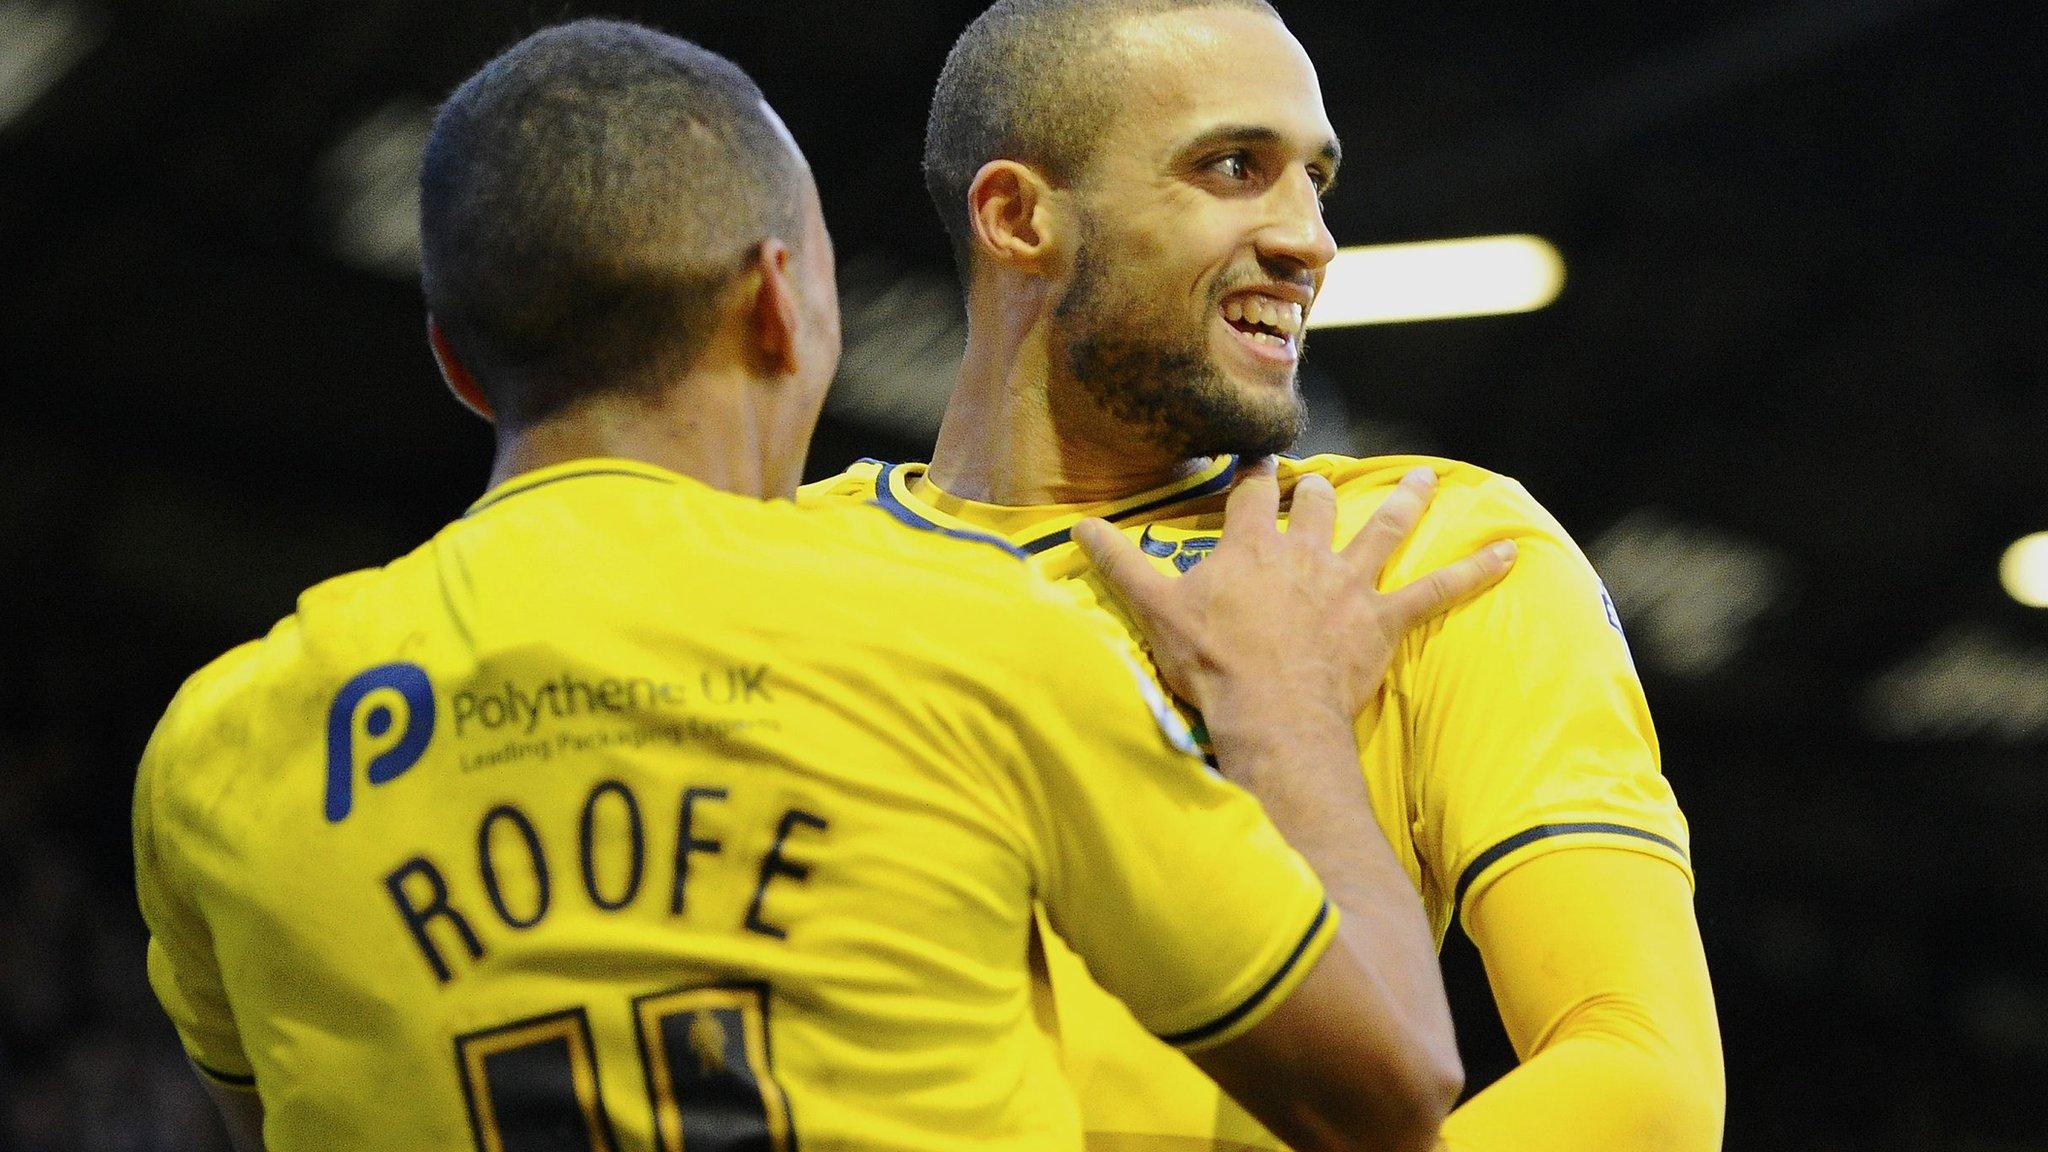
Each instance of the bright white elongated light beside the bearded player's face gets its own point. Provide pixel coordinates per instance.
(1439, 280)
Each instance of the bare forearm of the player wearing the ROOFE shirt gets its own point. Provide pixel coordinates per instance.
(1304, 768)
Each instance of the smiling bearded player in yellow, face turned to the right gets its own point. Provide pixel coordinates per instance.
(1134, 196)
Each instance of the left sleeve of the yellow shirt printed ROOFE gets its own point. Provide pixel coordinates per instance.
(183, 966)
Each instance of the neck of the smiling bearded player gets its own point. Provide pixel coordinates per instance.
(1009, 440)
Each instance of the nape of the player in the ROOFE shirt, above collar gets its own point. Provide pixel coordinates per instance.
(706, 431)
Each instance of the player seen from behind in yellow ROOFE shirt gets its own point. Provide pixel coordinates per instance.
(638, 813)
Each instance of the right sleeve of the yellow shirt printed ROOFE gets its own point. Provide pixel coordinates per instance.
(1170, 882)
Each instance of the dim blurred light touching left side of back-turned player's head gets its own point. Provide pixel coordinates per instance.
(372, 188)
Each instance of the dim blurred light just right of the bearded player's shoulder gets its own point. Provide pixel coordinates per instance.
(1687, 591)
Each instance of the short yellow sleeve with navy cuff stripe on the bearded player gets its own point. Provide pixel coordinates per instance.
(1531, 727)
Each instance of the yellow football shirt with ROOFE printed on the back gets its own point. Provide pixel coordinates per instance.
(628, 815)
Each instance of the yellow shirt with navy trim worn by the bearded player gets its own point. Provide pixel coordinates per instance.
(1508, 729)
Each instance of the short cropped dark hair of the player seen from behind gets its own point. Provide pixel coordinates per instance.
(585, 200)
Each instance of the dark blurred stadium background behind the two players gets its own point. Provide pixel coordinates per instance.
(1791, 401)
